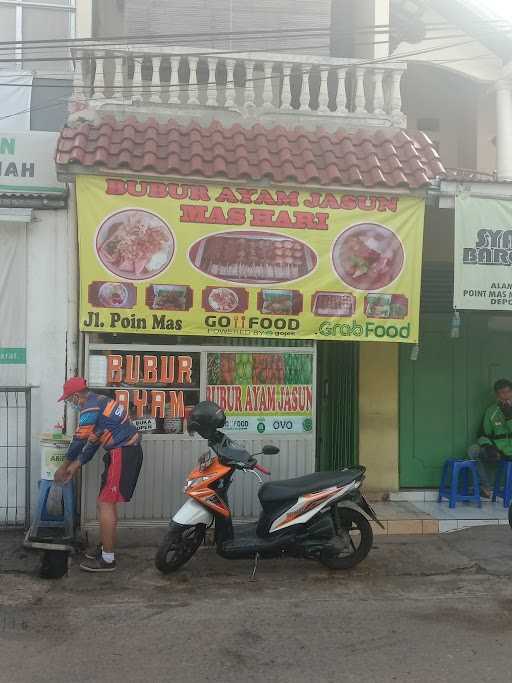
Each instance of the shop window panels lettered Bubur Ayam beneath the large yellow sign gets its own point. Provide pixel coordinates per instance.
(260, 392)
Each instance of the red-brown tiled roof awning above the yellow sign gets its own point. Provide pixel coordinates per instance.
(385, 157)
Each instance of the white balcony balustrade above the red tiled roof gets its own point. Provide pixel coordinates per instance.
(249, 83)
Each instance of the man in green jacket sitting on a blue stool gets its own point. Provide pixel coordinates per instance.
(495, 442)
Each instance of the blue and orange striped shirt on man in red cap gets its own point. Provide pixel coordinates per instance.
(102, 422)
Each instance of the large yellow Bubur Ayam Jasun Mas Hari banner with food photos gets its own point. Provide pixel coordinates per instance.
(190, 259)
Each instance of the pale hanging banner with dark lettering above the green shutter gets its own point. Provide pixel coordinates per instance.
(483, 254)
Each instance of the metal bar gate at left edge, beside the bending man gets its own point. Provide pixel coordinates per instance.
(14, 456)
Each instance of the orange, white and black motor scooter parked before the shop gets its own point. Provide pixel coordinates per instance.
(320, 516)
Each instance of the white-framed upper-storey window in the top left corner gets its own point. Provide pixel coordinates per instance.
(36, 20)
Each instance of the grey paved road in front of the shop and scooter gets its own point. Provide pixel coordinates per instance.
(419, 609)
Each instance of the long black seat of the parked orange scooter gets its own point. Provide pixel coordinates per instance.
(287, 489)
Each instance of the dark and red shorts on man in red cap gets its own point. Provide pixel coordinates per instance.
(122, 469)
